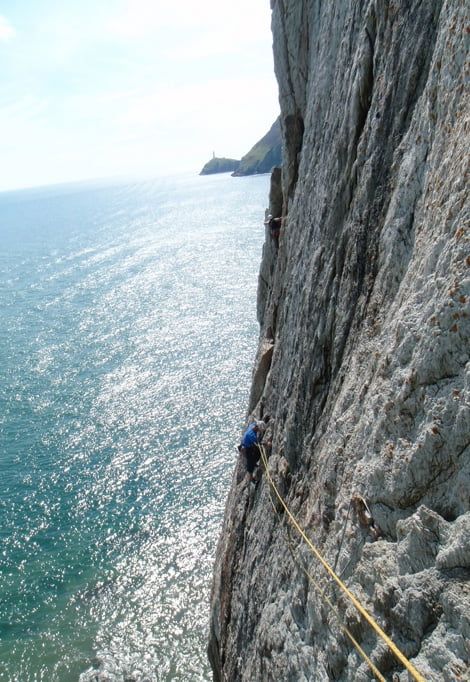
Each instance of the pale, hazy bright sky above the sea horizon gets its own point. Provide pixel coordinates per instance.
(130, 87)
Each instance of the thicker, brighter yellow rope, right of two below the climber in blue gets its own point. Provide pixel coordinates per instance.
(416, 675)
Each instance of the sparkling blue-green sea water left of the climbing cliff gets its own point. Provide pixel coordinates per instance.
(127, 335)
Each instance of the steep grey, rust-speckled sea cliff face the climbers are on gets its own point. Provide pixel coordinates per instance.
(364, 309)
